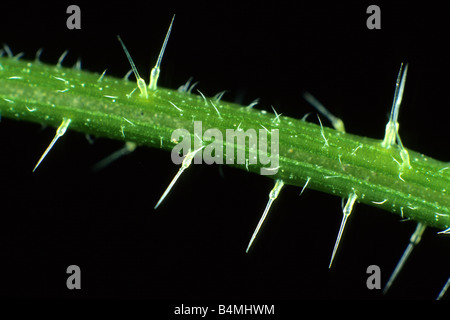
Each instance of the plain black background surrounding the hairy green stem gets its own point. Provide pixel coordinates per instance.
(193, 246)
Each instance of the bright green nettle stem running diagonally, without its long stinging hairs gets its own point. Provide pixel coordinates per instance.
(334, 162)
